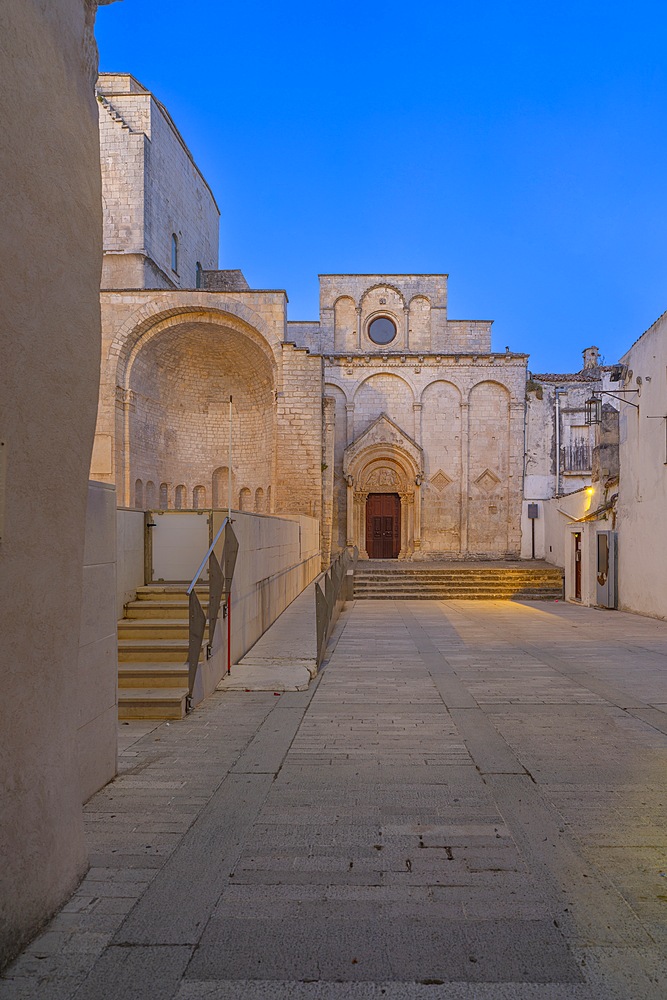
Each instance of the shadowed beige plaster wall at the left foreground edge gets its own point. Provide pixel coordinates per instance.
(50, 256)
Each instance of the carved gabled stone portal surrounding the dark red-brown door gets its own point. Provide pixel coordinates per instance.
(384, 460)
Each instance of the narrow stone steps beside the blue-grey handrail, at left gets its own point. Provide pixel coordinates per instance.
(153, 651)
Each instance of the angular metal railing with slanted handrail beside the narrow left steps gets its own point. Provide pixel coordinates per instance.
(220, 574)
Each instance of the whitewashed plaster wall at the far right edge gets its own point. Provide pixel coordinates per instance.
(642, 501)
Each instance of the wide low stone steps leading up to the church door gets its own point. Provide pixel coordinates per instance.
(457, 581)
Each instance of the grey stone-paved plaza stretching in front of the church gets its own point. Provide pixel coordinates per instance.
(467, 803)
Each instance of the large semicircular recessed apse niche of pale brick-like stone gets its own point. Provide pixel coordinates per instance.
(176, 382)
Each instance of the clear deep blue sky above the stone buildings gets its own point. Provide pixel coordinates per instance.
(519, 147)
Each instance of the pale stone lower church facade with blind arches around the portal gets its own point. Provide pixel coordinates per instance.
(467, 415)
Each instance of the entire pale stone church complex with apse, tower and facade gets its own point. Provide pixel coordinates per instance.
(395, 425)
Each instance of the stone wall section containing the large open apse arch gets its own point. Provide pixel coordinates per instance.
(170, 362)
